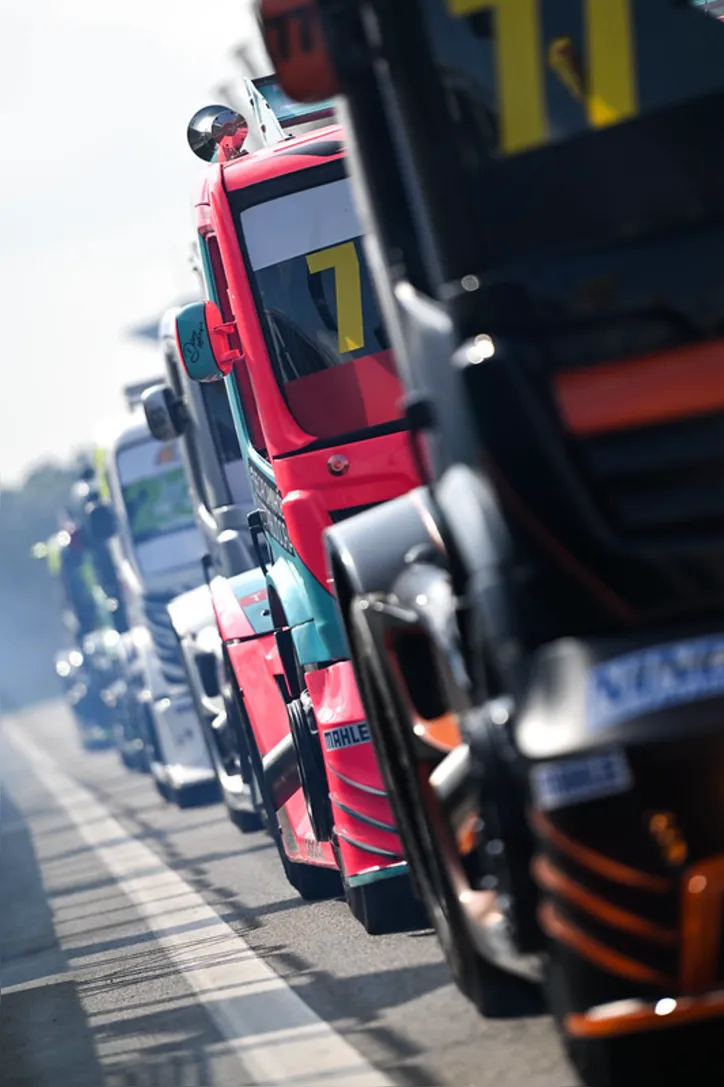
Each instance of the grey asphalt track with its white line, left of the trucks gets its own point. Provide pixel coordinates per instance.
(143, 946)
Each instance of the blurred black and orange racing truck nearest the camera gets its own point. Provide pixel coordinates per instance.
(538, 631)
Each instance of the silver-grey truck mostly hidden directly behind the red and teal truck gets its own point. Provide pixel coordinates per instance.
(201, 417)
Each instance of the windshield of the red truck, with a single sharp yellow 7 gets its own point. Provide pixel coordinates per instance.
(329, 348)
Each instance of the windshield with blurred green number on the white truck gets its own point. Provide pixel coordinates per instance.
(155, 491)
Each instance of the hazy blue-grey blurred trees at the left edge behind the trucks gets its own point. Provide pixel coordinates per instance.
(31, 629)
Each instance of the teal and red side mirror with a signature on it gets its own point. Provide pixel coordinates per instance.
(207, 344)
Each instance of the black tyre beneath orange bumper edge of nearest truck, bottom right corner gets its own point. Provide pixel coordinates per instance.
(667, 1058)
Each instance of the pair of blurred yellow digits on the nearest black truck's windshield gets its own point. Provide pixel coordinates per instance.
(610, 80)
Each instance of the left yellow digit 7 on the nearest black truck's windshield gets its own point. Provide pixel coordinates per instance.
(520, 69)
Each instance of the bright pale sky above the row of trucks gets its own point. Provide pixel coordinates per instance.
(96, 185)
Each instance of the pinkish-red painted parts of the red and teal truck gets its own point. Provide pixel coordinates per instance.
(380, 469)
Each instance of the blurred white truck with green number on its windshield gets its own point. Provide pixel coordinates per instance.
(158, 552)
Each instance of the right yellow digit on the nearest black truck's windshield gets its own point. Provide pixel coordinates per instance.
(611, 65)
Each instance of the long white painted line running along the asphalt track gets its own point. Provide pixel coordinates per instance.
(278, 1038)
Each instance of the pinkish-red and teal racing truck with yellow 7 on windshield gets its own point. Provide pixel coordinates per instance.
(293, 329)
